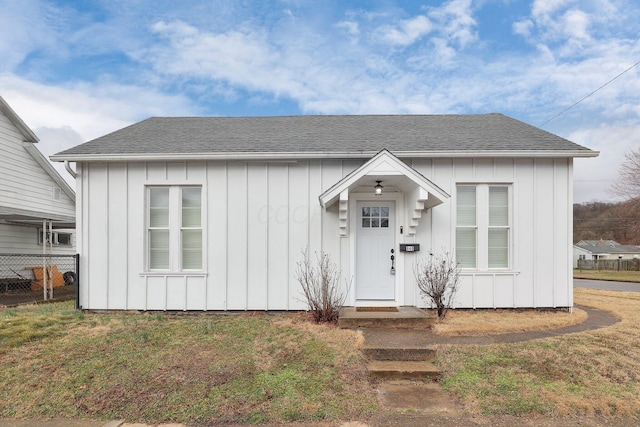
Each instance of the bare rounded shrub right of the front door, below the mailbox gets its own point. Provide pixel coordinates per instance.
(438, 278)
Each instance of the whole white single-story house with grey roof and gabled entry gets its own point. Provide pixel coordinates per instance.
(214, 213)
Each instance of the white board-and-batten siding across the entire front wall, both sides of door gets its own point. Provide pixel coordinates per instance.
(258, 217)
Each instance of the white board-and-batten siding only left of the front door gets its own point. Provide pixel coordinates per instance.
(258, 218)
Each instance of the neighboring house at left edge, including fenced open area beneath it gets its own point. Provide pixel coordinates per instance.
(37, 217)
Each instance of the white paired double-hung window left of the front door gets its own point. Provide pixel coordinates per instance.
(174, 219)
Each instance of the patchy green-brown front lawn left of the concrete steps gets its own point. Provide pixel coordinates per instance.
(196, 369)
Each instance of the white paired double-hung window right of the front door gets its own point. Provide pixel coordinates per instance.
(483, 226)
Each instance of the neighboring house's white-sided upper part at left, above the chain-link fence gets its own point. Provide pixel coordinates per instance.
(33, 196)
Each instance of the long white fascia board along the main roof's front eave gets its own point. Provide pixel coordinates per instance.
(163, 157)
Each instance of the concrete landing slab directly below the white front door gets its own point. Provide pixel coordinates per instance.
(405, 317)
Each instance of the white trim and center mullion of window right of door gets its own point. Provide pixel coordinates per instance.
(482, 223)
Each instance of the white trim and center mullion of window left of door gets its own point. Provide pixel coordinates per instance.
(175, 231)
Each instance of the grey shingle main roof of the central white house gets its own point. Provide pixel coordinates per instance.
(325, 134)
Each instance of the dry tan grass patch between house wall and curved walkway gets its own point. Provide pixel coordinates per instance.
(489, 321)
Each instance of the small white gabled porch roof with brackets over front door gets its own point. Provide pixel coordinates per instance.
(421, 193)
